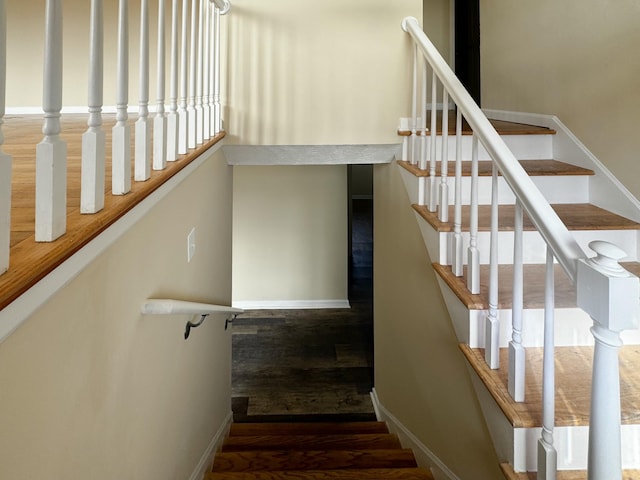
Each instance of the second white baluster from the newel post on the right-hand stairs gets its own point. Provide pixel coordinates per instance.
(516, 378)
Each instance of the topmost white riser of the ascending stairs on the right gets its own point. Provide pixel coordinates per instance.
(524, 147)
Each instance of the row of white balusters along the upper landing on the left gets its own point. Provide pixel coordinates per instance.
(190, 115)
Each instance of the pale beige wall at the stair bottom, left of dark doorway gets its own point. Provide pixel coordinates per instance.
(290, 233)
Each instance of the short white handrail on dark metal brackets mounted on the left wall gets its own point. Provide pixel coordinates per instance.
(167, 306)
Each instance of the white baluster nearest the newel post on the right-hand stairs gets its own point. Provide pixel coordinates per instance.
(547, 454)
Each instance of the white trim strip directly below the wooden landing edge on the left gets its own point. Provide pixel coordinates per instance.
(14, 314)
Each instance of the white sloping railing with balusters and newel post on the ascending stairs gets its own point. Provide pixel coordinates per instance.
(596, 278)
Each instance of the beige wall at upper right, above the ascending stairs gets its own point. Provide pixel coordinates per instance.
(575, 59)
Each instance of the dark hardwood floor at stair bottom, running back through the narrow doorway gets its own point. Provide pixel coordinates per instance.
(307, 365)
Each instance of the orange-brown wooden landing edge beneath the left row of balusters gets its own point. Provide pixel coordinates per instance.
(35, 260)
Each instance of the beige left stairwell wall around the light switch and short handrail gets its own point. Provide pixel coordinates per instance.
(92, 389)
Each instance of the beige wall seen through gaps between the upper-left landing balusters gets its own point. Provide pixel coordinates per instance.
(25, 40)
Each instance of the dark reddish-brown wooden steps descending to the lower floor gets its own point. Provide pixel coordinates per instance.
(283, 451)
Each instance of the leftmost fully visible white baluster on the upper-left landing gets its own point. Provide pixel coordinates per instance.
(51, 152)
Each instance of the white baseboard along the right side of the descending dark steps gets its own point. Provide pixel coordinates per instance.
(424, 457)
